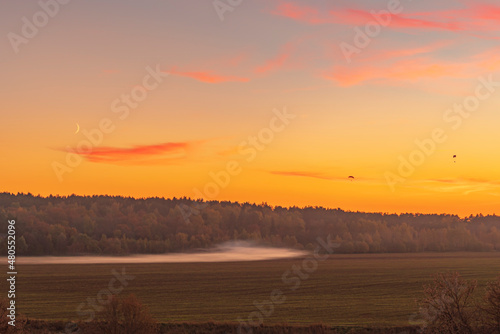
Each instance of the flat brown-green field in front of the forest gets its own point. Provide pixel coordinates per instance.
(345, 290)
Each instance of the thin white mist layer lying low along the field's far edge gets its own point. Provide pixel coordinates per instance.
(225, 252)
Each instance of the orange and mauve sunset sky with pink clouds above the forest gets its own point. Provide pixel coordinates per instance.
(255, 101)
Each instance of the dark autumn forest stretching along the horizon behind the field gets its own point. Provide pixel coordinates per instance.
(114, 225)
